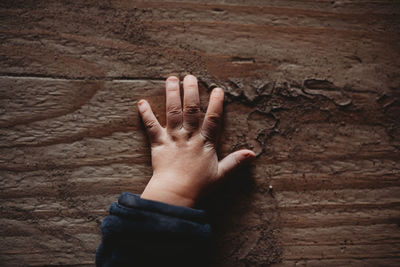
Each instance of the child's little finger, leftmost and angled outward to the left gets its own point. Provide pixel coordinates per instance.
(153, 127)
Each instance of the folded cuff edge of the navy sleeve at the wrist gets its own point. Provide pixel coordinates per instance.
(134, 201)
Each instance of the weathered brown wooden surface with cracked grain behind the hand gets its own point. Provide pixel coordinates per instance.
(312, 87)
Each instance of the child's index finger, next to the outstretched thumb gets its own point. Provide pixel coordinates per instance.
(213, 116)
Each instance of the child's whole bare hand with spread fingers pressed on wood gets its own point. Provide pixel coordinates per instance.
(183, 153)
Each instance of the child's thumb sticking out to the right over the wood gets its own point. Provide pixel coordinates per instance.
(233, 161)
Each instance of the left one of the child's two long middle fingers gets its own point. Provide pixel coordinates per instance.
(173, 105)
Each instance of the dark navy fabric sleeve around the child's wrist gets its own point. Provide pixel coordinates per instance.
(140, 232)
